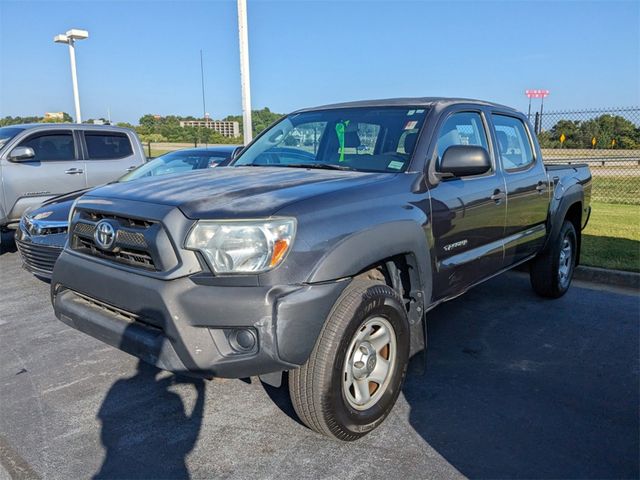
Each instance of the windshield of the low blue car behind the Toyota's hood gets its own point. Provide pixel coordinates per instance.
(177, 162)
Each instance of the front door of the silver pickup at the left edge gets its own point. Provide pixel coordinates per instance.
(57, 168)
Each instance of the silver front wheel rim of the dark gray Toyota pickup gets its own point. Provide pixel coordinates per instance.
(369, 364)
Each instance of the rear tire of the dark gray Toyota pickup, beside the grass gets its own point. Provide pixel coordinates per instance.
(545, 273)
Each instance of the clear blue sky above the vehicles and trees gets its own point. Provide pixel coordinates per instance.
(143, 57)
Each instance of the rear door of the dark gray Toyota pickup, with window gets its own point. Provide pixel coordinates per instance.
(526, 184)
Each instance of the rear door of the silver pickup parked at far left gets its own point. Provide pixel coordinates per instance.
(109, 155)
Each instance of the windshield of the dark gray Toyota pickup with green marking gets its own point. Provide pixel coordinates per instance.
(371, 139)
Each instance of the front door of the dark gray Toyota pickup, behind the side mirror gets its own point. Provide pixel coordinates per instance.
(468, 213)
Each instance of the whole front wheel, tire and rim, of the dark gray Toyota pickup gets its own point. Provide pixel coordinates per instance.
(353, 377)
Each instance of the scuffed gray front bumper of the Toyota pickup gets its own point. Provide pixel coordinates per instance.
(185, 326)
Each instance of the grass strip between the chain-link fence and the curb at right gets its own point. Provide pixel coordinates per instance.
(612, 237)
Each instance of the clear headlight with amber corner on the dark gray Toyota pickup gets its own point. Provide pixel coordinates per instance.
(243, 246)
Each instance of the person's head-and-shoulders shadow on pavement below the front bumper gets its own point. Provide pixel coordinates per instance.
(146, 430)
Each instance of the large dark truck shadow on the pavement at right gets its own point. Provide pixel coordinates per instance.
(519, 387)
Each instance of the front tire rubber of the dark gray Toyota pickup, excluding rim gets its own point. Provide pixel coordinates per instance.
(316, 387)
